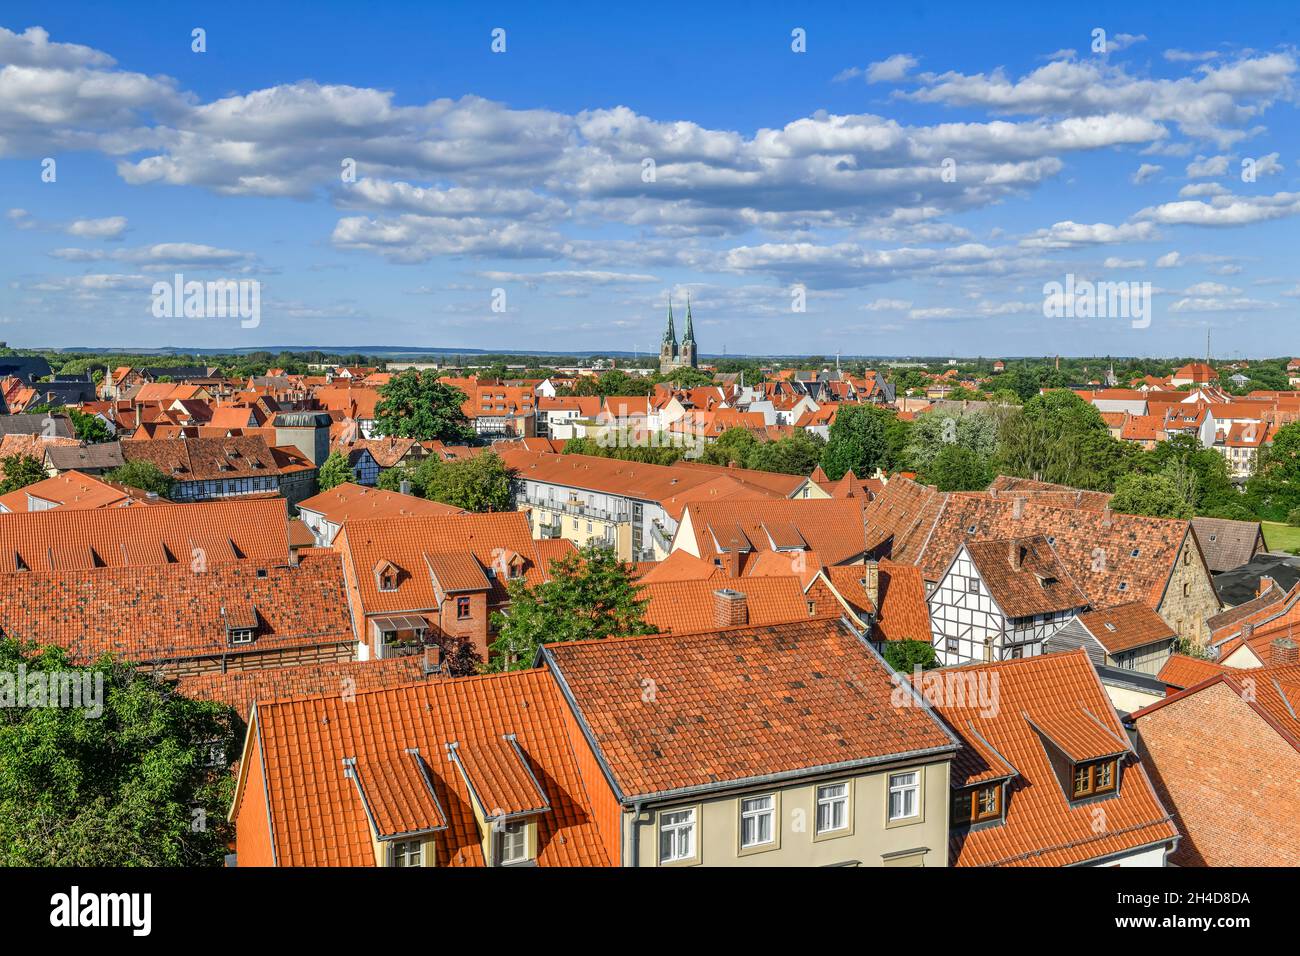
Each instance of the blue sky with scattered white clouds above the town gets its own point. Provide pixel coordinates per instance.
(774, 170)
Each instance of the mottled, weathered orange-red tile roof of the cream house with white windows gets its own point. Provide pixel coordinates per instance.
(739, 704)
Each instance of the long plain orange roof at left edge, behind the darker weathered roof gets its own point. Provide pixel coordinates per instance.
(215, 533)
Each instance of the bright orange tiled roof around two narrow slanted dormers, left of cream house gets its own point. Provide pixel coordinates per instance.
(317, 814)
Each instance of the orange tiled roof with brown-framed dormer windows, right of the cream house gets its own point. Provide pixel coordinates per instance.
(1056, 697)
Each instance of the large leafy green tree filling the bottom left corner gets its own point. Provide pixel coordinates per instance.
(144, 784)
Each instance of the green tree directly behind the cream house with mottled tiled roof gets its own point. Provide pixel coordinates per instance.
(590, 595)
